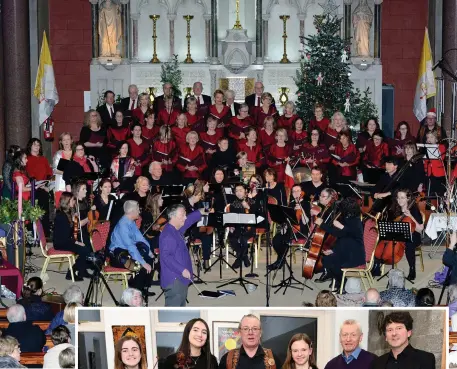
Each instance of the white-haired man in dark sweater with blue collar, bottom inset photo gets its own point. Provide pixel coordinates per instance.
(353, 356)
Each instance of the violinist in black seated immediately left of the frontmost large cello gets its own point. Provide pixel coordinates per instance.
(281, 239)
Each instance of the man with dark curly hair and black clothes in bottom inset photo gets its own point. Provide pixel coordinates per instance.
(397, 327)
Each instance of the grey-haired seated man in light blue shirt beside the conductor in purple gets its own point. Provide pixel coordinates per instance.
(129, 247)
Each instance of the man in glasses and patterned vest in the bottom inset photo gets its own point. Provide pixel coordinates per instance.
(251, 355)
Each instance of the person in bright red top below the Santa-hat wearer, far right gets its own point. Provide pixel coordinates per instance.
(434, 169)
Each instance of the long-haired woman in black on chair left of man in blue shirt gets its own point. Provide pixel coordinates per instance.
(63, 236)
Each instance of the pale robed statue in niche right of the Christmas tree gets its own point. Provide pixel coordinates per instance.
(362, 19)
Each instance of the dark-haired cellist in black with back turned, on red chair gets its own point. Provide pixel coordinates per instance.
(348, 250)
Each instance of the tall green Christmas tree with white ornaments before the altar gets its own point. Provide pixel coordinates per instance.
(324, 74)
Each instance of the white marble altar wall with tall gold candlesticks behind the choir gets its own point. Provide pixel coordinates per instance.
(224, 44)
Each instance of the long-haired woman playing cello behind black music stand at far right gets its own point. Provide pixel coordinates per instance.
(404, 208)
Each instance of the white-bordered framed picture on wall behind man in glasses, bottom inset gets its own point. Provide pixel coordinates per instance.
(226, 337)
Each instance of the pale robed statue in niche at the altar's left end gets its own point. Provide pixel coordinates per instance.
(109, 28)
